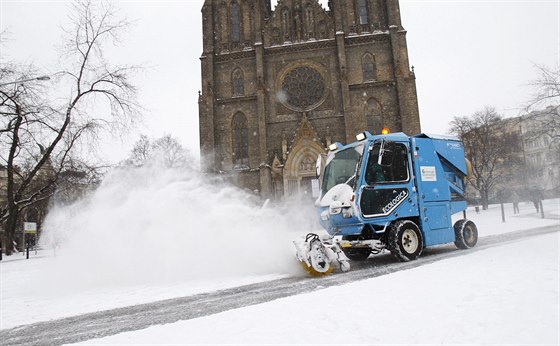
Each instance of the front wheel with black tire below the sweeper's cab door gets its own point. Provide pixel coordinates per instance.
(405, 240)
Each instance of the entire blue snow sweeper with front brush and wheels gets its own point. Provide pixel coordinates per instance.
(388, 191)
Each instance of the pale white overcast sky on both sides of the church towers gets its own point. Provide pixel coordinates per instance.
(466, 55)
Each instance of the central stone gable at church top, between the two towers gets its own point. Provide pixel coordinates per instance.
(298, 21)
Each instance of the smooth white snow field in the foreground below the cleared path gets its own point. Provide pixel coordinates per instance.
(505, 295)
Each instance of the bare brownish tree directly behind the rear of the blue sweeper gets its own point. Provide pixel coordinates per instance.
(488, 146)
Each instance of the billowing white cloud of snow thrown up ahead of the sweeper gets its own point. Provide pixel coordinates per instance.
(152, 225)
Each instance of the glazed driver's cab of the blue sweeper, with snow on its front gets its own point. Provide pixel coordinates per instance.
(365, 182)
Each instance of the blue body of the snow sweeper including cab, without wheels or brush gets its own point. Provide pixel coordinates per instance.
(424, 183)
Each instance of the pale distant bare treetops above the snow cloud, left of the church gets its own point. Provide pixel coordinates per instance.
(165, 151)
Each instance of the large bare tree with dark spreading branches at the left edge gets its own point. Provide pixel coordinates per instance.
(39, 136)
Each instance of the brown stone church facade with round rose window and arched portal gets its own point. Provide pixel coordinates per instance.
(279, 86)
